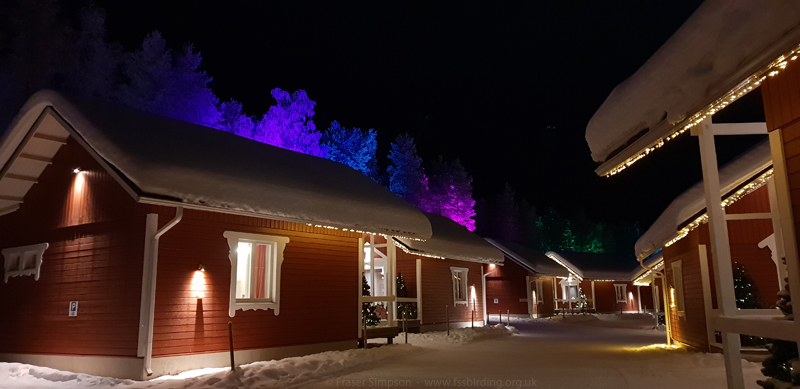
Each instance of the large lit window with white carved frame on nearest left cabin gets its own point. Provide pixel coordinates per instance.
(255, 270)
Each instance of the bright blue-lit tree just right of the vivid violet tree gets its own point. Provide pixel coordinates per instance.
(355, 148)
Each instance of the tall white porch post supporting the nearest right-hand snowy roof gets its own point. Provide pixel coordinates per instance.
(720, 251)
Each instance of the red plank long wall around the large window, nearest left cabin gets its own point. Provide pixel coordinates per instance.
(318, 295)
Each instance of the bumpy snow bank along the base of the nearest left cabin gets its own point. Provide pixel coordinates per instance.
(276, 373)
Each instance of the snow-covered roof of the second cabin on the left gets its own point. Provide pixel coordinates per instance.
(453, 241)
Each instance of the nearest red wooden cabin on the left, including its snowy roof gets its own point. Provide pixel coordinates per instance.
(131, 240)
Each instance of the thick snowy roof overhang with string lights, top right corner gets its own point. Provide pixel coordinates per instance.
(720, 52)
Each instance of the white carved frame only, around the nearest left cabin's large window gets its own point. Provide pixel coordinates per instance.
(279, 244)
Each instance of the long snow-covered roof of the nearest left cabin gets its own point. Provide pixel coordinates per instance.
(171, 162)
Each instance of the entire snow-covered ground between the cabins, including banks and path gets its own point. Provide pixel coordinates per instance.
(581, 351)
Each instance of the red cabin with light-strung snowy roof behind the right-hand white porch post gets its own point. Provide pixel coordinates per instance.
(684, 237)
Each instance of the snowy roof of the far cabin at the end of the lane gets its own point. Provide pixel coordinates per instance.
(591, 266)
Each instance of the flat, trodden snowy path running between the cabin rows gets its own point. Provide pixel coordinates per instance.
(592, 354)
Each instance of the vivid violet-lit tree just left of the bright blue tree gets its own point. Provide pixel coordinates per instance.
(289, 125)
